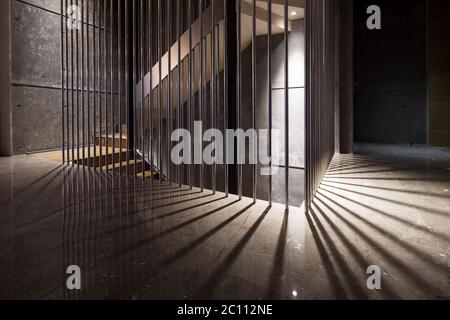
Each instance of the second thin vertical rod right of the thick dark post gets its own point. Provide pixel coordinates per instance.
(254, 147)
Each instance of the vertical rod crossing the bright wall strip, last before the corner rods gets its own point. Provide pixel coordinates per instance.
(286, 99)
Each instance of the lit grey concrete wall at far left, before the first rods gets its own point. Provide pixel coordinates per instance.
(35, 80)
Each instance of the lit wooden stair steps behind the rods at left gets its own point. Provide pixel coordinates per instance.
(104, 155)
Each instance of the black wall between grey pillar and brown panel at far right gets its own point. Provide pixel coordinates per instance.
(390, 73)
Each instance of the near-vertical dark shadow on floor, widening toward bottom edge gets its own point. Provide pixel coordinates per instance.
(274, 289)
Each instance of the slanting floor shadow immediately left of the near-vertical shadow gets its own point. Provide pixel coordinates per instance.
(222, 270)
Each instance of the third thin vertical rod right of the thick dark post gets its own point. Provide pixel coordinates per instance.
(269, 93)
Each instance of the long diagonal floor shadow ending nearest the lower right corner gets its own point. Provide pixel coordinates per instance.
(405, 268)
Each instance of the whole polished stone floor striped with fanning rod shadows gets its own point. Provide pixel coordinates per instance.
(143, 240)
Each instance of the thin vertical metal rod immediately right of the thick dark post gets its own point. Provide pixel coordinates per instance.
(238, 95)
